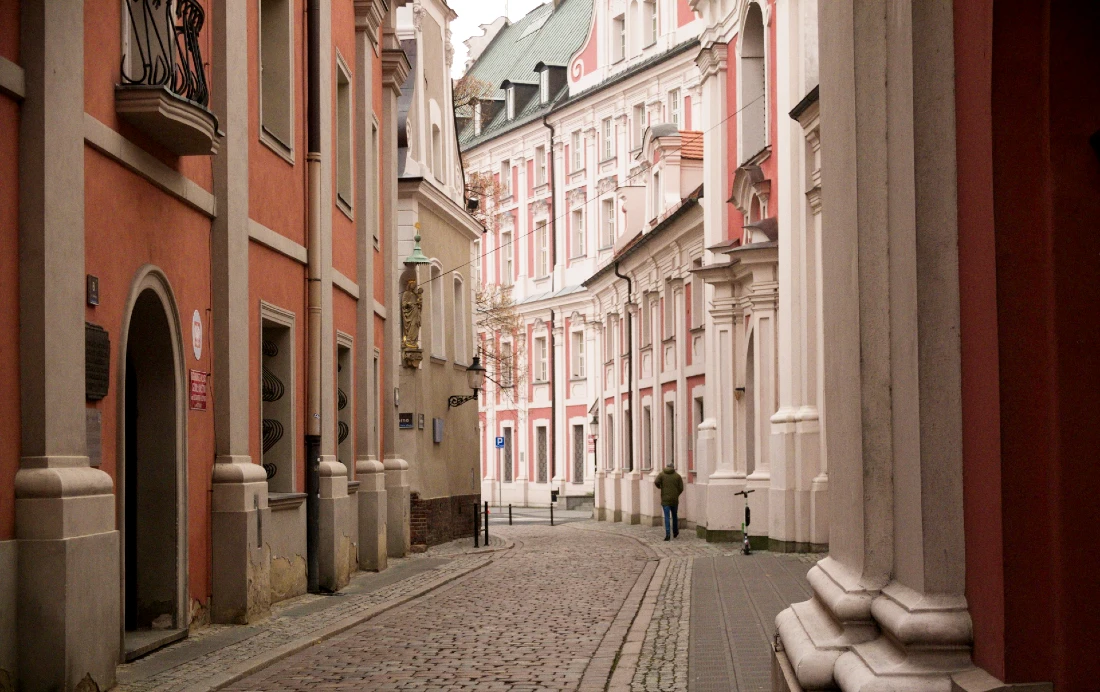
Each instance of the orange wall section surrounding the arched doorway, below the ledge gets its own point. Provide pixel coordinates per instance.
(129, 224)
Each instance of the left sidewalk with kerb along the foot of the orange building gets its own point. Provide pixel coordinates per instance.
(219, 655)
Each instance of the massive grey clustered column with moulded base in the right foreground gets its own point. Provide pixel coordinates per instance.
(889, 610)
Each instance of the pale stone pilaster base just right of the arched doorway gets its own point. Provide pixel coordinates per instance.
(240, 557)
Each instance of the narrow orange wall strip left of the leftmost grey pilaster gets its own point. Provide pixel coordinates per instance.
(9, 301)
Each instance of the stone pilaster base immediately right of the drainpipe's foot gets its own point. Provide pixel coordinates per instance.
(334, 543)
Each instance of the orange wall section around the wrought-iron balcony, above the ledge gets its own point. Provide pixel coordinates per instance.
(103, 59)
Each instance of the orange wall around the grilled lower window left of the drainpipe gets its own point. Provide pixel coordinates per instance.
(271, 279)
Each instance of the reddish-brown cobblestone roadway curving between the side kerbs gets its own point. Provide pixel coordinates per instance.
(531, 621)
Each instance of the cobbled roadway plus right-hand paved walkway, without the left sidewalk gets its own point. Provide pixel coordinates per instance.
(579, 607)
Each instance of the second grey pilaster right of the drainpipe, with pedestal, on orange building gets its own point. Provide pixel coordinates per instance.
(371, 498)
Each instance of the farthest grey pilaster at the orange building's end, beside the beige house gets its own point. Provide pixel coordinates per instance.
(395, 70)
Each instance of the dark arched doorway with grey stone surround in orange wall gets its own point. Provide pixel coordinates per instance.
(151, 473)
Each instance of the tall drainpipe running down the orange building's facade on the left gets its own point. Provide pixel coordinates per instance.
(314, 295)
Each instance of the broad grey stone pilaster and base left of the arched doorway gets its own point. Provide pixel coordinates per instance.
(69, 558)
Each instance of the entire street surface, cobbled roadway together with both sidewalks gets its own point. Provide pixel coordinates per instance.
(588, 607)
